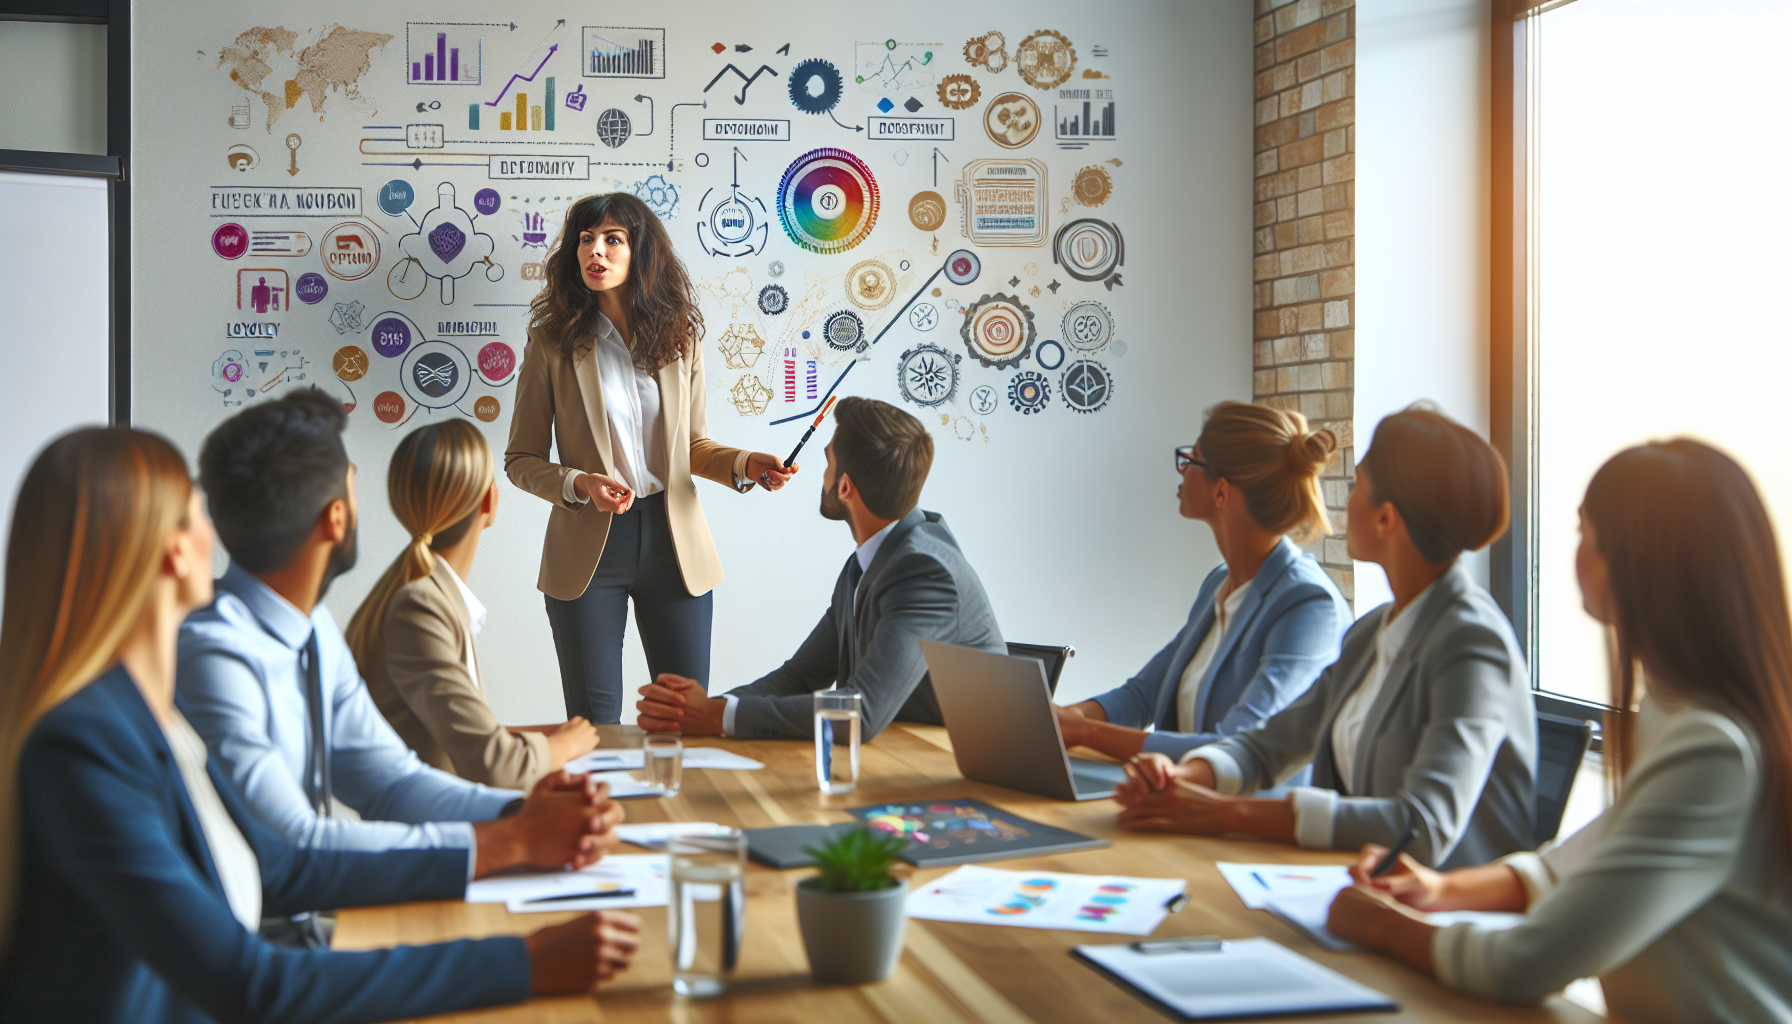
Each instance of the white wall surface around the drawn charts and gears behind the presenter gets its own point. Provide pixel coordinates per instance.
(1069, 517)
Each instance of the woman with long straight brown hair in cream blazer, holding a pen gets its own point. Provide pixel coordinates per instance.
(1678, 898)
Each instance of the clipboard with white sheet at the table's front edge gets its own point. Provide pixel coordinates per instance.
(1243, 978)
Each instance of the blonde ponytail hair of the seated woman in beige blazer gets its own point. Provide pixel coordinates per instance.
(436, 483)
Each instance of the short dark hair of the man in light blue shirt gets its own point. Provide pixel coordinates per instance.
(270, 473)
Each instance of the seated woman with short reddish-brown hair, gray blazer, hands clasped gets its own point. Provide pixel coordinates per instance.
(1426, 722)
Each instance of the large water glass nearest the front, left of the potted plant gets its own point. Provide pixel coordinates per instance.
(709, 910)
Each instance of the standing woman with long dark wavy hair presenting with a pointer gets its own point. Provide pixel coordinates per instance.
(614, 385)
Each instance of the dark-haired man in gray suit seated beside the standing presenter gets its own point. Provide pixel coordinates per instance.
(908, 582)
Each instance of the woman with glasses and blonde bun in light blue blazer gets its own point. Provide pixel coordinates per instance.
(1266, 621)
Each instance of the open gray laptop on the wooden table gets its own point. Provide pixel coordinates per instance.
(1004, 731)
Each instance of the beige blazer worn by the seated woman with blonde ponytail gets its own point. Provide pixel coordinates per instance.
(417, 673)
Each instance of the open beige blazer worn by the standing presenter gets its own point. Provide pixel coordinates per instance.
(560, 406)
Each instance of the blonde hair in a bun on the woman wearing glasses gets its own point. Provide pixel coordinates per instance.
(1275, 460)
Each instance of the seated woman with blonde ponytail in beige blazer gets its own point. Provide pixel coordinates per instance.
(413, 638)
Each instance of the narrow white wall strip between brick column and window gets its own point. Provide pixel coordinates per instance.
(1424, 175)
